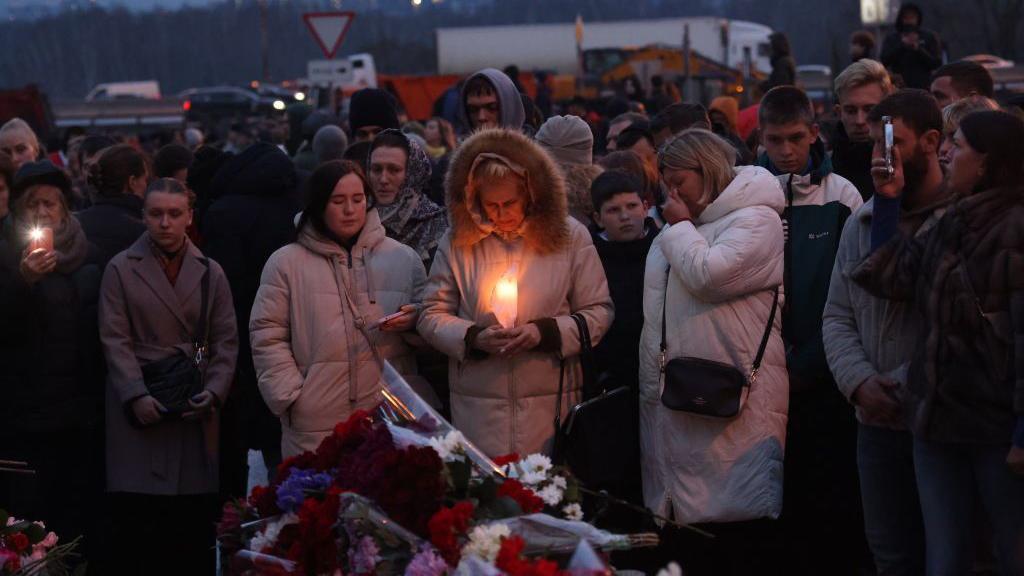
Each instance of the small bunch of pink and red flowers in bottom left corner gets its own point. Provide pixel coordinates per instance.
(28, 550)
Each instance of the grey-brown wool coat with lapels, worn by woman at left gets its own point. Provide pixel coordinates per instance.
(145, 319)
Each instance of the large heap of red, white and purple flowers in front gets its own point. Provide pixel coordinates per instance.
(378, 499)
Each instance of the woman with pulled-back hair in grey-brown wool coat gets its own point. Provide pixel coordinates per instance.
(162, 469)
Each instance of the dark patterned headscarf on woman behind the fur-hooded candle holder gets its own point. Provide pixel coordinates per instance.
(413, 219)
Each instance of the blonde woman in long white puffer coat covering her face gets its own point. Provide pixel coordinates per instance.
(714, 271)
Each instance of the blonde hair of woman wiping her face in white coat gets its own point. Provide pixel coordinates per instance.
(704, 152)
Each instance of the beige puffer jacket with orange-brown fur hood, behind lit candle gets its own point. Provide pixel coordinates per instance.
(508, 405)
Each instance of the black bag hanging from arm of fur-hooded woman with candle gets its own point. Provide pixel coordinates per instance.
(601, 438)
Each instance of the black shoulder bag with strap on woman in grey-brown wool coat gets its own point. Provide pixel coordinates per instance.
(175, 380)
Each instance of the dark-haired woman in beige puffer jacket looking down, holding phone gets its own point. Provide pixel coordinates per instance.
(316, 347)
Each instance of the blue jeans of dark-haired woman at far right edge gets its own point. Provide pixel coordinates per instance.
(949, 478)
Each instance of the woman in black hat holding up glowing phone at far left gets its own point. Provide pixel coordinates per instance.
(51, 383)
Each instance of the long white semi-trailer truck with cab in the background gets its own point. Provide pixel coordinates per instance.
(552, 47)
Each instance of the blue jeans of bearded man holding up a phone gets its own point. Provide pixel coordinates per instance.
(889, 495)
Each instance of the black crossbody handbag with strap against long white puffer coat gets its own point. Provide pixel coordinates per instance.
(706, 387)
